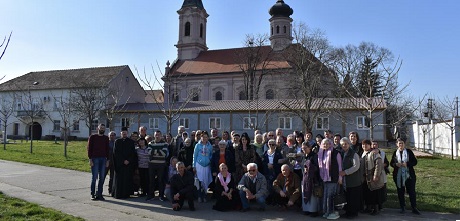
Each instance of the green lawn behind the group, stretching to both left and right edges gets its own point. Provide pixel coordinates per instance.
(438, 179)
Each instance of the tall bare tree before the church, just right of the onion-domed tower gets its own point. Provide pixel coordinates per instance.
(310, 84)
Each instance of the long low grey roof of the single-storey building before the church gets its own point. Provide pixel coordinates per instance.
(262, 105)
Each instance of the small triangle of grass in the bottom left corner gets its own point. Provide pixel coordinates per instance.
(15, 209)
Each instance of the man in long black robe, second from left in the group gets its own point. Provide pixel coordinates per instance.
(124, 157)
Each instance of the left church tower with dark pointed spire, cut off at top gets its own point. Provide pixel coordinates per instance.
(192, 29)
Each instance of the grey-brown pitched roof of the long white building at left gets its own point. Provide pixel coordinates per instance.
(64, 79)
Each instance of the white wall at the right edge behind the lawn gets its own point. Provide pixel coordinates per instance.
(436, 137)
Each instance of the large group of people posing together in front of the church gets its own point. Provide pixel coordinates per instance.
(293, 171)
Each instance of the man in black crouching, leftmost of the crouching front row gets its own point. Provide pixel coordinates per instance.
(182, 188)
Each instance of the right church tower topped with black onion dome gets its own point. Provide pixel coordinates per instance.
(280, 25)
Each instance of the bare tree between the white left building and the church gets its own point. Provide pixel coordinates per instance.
(170, 107)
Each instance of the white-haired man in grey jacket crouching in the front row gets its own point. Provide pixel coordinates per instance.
(253, 185)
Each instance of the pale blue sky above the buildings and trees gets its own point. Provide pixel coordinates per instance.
(69, 34)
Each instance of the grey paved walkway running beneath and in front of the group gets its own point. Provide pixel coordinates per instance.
(68, 191)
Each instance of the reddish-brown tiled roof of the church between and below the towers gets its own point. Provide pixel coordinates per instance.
(224, 61)
